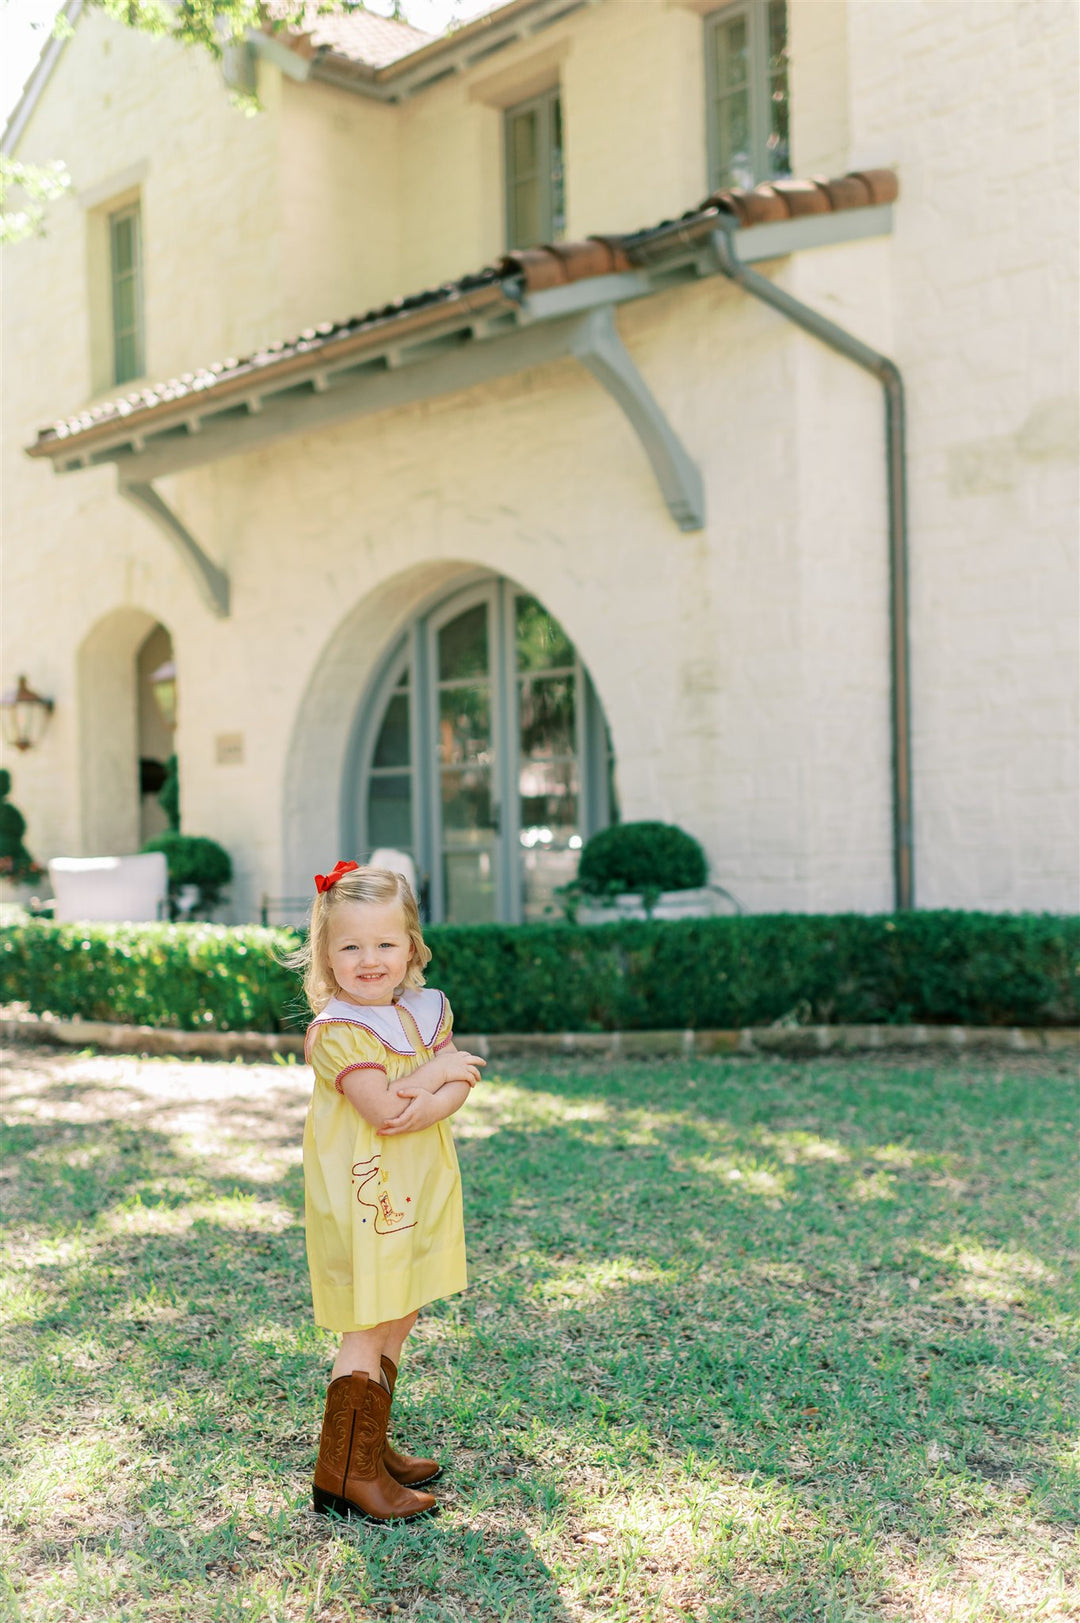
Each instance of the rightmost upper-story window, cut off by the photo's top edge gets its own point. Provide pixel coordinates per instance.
(746, 53)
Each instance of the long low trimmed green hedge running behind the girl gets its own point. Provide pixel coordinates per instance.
(927, 968)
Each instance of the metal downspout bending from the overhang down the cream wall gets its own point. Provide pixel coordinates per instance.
(888, 372)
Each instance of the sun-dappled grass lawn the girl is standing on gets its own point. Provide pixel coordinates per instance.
(746, 1341)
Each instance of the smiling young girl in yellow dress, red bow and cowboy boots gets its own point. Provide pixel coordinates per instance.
(381, 1173)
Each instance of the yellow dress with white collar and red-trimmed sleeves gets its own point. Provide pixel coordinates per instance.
(384, 1215)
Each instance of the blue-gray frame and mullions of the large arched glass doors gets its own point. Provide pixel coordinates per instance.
(415, 652)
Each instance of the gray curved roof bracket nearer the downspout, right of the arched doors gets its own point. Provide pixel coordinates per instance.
(598, 347)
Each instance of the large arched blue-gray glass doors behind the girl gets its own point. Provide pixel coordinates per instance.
(483, 754)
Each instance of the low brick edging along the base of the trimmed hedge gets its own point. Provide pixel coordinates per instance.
(797, 1041)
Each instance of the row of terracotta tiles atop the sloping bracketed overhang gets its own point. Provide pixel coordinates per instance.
(538, 269)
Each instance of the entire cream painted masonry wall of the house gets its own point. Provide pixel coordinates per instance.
(745, 668)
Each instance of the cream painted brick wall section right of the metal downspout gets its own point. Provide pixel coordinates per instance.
(987, 334)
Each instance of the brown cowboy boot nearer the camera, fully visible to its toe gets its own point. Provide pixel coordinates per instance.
(350, 1474)
